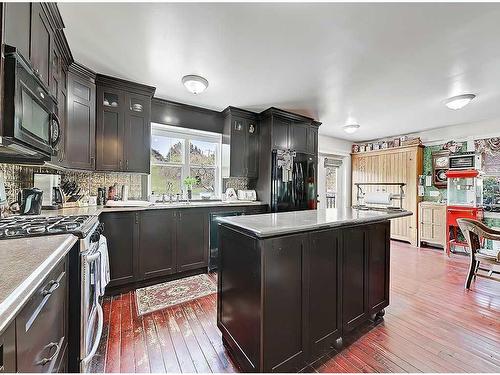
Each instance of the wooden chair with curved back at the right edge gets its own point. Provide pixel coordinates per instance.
(475, 233)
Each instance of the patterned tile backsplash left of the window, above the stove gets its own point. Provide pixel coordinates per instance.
(18, 177)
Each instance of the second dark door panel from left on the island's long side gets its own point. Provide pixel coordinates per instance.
(323, 262)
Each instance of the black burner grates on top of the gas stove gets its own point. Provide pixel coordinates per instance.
(26, 226)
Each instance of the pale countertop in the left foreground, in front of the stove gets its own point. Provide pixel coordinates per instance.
(24, 263)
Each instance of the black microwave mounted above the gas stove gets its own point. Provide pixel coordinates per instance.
(31, 127)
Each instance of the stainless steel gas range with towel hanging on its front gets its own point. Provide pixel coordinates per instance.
(91, 263)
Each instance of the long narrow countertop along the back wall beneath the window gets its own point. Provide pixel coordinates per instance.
(97, 210)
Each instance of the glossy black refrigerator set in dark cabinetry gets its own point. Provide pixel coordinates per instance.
(293, 181)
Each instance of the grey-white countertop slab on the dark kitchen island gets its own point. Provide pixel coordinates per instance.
(267, 225)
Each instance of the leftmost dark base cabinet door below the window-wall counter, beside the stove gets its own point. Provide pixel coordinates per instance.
(121, 231)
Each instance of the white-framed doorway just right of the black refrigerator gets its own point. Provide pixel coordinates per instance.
(330, 181)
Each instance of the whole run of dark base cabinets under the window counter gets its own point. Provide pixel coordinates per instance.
(149, 244)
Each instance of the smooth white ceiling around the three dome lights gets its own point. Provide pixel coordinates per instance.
(387, 66)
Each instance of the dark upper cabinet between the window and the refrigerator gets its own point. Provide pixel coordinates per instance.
(241, 132)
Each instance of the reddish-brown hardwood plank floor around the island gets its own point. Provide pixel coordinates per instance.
(432, 325)
